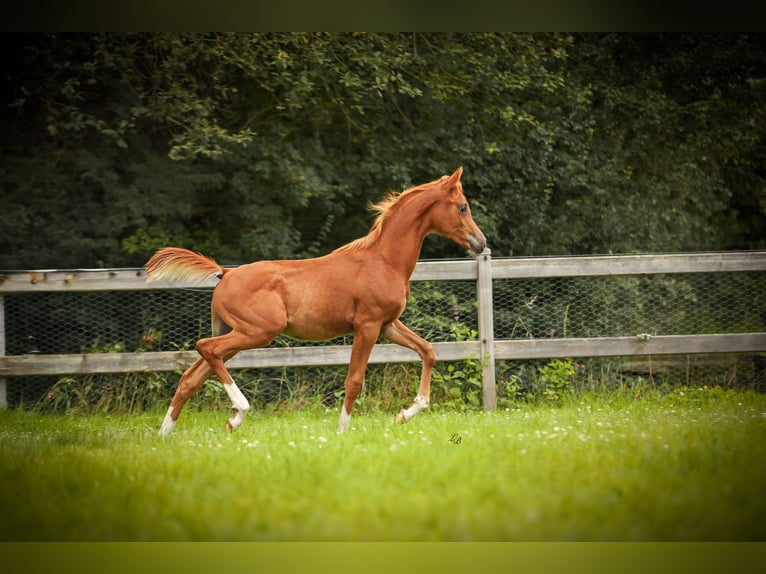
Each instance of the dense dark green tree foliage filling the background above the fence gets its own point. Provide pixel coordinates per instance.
(250, 146)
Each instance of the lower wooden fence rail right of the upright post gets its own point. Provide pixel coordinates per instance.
(627, 346)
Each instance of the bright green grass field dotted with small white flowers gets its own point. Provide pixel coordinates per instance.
(683, 466)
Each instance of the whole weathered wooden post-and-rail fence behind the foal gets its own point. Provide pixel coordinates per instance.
(483, 270)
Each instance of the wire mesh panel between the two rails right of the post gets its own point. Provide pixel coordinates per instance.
(614, 306)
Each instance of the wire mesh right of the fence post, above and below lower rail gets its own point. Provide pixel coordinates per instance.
(626, 306)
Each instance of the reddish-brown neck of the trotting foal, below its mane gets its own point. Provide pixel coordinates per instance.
(401, 238)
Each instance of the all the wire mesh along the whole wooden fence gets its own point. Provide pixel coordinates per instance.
(558, 307)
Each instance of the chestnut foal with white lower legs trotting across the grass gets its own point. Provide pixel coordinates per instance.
(360, 288)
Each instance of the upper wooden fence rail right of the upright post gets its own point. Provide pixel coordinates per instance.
(532, 267)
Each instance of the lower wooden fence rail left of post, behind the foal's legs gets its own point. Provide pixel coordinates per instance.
(86, 363)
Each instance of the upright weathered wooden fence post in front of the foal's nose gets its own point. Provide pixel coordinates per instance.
(486, 330)
